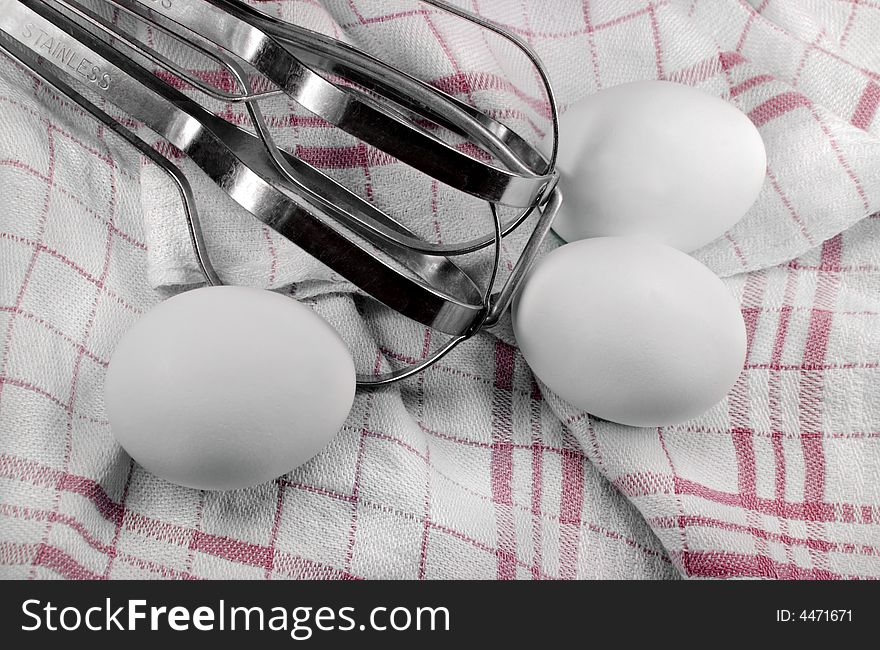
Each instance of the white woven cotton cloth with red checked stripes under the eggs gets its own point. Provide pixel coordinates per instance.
(472, 470)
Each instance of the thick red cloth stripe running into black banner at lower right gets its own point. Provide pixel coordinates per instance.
(713, 564)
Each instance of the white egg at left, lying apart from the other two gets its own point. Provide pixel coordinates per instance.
(227, 387)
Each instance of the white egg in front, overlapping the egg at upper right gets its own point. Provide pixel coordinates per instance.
(630, 331)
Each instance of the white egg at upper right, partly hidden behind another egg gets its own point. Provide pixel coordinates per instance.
(657, 159)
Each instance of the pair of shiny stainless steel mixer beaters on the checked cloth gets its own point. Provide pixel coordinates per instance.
(80, 52)
